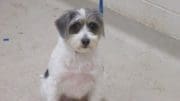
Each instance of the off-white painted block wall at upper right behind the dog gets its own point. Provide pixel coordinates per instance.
(162, 15)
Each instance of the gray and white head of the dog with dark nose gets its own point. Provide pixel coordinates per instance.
(81, 29)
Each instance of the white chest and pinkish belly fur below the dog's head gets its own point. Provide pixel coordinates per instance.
(75, 74)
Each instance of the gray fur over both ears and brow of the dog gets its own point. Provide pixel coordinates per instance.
(66, 20)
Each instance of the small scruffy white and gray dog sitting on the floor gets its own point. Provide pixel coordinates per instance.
(74, 65)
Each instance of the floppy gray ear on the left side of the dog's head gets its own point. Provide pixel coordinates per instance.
(63, 22)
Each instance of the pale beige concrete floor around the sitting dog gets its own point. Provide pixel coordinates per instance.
(140, 64)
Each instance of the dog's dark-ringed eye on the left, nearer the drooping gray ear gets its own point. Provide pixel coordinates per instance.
(75, 28)
